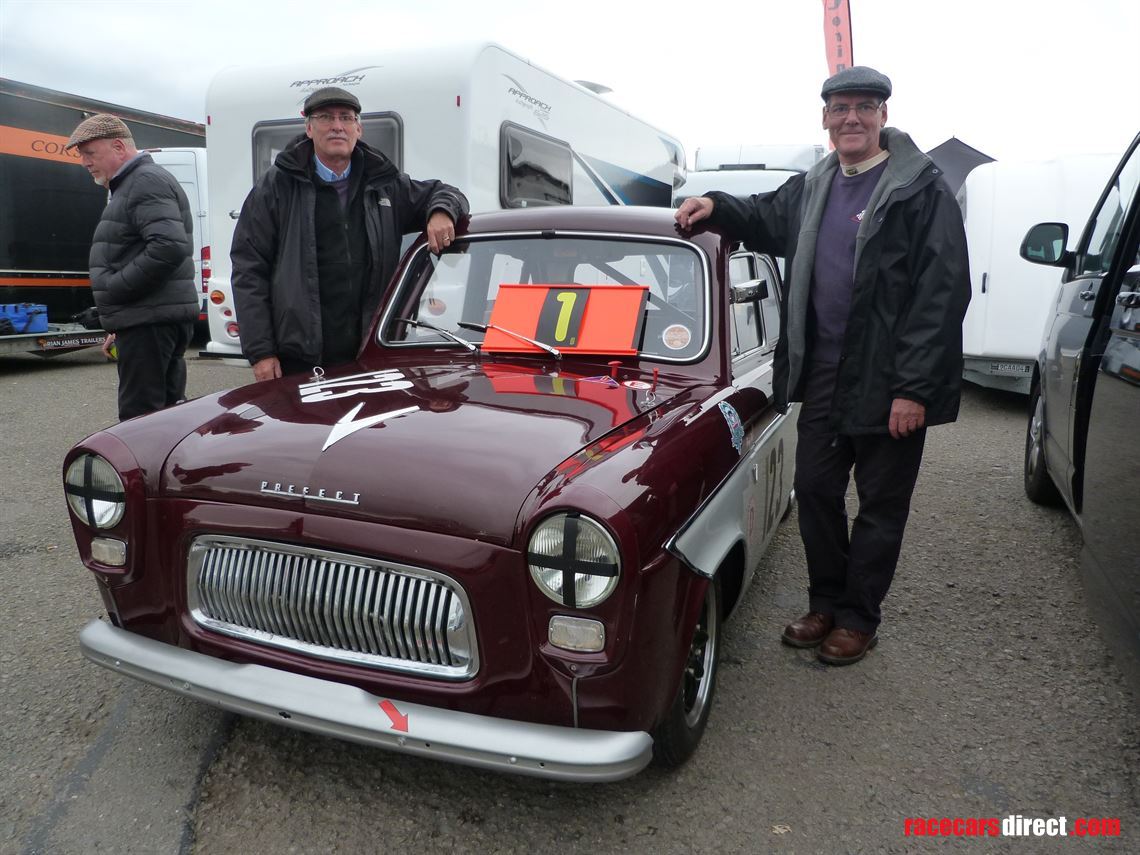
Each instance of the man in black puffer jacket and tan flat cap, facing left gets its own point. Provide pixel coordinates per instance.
(142, 271)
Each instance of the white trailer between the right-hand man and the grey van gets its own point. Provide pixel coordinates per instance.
(1012, 300)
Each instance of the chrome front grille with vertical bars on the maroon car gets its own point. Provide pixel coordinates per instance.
(332, 606)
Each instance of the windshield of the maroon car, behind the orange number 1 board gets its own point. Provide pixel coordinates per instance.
(462, 286)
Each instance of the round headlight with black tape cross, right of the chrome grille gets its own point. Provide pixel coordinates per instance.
(574, 560)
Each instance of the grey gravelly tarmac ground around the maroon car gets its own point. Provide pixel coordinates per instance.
(991, 694)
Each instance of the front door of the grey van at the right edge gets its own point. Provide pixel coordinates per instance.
(1069, 371)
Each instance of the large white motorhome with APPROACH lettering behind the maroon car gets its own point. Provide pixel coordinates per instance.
(501, 129)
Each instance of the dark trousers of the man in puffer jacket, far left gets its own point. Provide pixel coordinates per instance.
(152, 371)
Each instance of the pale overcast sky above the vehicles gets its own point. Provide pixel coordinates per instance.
(1017, 80)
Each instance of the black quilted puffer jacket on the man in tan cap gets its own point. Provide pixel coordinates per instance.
(142, 271)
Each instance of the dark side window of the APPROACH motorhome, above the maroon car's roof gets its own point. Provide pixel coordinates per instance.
(536, 170)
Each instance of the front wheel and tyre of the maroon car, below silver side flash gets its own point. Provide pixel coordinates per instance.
(679, 735)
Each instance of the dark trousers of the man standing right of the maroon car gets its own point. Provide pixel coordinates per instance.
(850, 573)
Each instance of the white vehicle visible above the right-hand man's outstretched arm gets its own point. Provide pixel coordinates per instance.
(745, 170)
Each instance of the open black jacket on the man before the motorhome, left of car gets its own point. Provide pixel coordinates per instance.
(274, 255)
